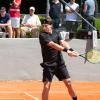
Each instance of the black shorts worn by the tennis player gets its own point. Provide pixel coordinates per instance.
(60, 72)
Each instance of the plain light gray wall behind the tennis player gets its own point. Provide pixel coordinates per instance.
(20, 60)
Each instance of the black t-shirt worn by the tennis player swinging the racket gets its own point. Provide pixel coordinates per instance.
(49, 54)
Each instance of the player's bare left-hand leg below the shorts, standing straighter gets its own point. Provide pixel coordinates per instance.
(46, 89)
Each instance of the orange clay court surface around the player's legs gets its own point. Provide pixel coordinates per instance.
(31, 90)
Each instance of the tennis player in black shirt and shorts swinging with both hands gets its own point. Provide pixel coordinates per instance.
(53, 63)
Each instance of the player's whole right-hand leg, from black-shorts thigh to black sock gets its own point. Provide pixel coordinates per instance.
(63, 75)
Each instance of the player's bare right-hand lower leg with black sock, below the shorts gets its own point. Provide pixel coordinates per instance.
(70, 88)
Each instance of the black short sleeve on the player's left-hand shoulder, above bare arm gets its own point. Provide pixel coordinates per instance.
(44, 38)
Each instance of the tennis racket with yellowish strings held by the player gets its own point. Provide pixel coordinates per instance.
(92, 56)
